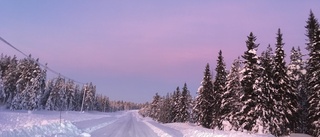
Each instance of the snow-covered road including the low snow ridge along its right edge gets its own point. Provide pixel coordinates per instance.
(126, 124)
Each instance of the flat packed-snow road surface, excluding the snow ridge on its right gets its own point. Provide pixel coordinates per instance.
(124, 125)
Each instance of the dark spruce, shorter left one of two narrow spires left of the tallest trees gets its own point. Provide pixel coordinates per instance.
(204, 100)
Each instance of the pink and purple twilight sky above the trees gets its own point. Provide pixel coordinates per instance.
(133, 49)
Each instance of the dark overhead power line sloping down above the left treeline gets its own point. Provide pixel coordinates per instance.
(45, 66)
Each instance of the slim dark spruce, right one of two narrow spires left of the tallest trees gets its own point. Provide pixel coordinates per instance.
(218, 89)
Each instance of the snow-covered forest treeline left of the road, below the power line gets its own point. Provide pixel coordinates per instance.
(24, 86)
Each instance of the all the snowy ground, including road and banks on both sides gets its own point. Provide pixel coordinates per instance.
(96, 124)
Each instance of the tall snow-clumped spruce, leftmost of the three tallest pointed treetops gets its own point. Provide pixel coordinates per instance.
(247, 115)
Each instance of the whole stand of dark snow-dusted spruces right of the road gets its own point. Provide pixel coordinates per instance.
(258, 94)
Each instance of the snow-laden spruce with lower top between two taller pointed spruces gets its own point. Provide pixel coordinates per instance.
(264, 88)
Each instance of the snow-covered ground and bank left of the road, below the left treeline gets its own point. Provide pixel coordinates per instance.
(42, 123)
